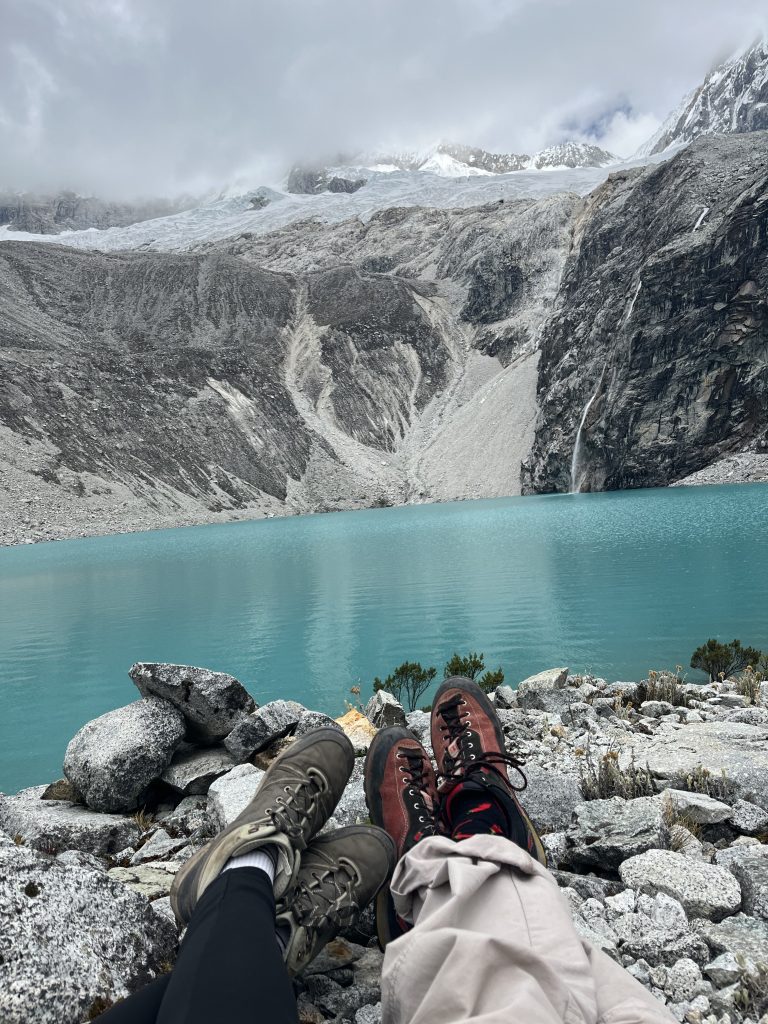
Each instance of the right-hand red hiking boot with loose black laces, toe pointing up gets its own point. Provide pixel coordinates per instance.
(468, 743)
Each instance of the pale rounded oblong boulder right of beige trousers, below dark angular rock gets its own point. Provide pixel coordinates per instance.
(704, 890)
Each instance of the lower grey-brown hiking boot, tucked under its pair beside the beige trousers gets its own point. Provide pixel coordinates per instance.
(340, 874)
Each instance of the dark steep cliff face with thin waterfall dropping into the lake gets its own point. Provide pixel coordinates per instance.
(658, 344)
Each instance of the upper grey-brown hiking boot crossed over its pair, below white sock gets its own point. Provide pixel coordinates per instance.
(296, 797)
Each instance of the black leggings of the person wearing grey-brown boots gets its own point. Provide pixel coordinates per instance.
(230, 967)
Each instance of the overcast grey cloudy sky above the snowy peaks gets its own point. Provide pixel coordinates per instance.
(127, 98)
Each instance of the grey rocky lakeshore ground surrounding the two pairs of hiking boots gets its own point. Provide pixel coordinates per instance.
(653, 799)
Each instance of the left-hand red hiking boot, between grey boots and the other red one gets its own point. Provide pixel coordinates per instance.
(402, 798)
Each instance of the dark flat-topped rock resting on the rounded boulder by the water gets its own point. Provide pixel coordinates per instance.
(212, 703)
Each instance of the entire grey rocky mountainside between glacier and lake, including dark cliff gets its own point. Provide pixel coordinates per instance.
(417, 355)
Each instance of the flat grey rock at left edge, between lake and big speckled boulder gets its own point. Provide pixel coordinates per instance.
(53, 826)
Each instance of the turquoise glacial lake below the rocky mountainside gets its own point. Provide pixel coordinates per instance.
(307, 608)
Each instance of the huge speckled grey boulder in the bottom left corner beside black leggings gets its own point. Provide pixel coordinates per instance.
(71, 937)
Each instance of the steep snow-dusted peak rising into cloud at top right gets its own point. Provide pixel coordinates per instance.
(734, 98)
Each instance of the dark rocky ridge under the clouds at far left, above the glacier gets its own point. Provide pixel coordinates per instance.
(66, 211)
